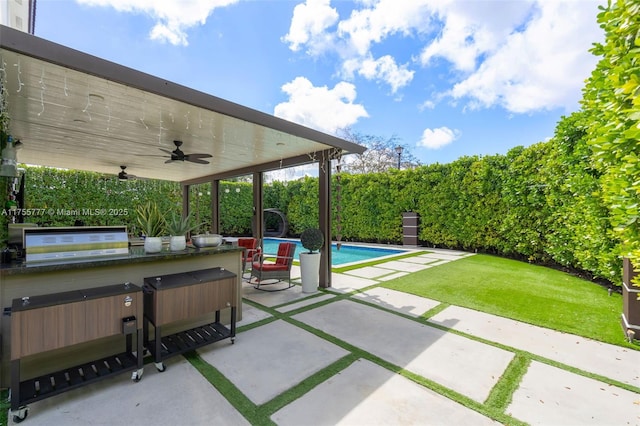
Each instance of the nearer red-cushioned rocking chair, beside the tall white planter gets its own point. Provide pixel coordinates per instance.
(273, 267)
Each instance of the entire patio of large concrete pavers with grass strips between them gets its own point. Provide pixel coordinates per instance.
(371, 334)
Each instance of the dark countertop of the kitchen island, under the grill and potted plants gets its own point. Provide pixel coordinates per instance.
(136, 255)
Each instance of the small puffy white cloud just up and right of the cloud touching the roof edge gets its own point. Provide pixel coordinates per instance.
(381, 69)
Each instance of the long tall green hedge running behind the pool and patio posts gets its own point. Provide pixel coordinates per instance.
(542, 203)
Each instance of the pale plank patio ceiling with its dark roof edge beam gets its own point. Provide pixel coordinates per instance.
(73, 110)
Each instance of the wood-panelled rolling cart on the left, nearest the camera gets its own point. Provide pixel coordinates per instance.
(54, 321)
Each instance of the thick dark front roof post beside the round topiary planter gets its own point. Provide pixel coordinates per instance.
(324, 217)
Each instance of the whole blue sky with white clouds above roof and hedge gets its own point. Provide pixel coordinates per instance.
(447, 77)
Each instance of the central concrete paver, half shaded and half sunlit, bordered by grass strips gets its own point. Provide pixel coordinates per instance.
(466, 366)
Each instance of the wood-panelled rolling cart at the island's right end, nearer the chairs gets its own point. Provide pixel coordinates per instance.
(172, 299)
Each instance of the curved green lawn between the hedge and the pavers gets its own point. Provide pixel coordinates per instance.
(521, 291)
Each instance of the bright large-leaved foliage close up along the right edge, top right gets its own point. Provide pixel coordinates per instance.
(611, 101)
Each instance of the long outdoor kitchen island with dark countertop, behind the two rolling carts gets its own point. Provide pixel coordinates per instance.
(19, 280)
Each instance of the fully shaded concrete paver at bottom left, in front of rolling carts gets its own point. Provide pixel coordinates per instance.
(179, 396)
